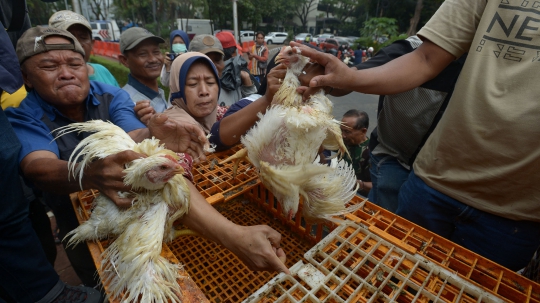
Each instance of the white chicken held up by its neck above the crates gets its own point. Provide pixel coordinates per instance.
(284, 146)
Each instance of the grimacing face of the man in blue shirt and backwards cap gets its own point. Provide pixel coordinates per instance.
(60, 77)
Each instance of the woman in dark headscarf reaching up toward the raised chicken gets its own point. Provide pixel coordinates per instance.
(195, 88)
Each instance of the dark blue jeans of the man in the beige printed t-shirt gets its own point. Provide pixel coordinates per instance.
(507, 242)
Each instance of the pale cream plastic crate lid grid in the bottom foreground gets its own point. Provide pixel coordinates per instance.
(379, 278)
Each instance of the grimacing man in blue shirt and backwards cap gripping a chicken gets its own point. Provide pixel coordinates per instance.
(55, 74)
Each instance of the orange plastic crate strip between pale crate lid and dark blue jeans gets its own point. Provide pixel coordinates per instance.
(469, 265)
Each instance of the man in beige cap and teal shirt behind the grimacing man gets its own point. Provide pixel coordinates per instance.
(79, 27)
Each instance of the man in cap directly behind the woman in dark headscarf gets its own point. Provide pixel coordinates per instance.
(212, 47)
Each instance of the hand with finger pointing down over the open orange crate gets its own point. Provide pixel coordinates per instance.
(258, 247)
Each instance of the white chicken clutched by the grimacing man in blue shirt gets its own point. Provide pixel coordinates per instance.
(132, 267)
